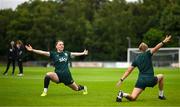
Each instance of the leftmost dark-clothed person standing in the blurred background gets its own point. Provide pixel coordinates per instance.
(11, 58)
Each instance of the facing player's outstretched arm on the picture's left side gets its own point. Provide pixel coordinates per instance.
(29, 48)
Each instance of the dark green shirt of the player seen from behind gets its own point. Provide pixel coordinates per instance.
(144, 63)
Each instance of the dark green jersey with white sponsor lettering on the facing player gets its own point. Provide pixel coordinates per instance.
(60, 61)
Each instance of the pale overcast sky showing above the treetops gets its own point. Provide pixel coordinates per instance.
(13, 3)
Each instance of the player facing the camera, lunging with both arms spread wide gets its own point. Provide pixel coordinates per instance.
(62, 73)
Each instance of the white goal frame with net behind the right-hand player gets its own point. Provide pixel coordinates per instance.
(165, 57)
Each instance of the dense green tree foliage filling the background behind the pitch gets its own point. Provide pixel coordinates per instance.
(101, 26)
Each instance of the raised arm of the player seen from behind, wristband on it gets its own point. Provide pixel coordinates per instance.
(158, 46)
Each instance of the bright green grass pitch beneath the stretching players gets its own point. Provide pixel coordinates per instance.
(25, 91)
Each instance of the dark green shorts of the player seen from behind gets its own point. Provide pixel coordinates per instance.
(146, 81)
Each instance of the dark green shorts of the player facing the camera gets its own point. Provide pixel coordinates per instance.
(65, 78)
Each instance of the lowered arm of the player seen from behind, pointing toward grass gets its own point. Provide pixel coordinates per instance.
(125, 75)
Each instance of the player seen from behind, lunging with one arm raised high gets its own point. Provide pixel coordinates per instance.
(146, 76)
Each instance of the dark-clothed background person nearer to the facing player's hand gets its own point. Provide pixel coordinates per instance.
(19, 56)
